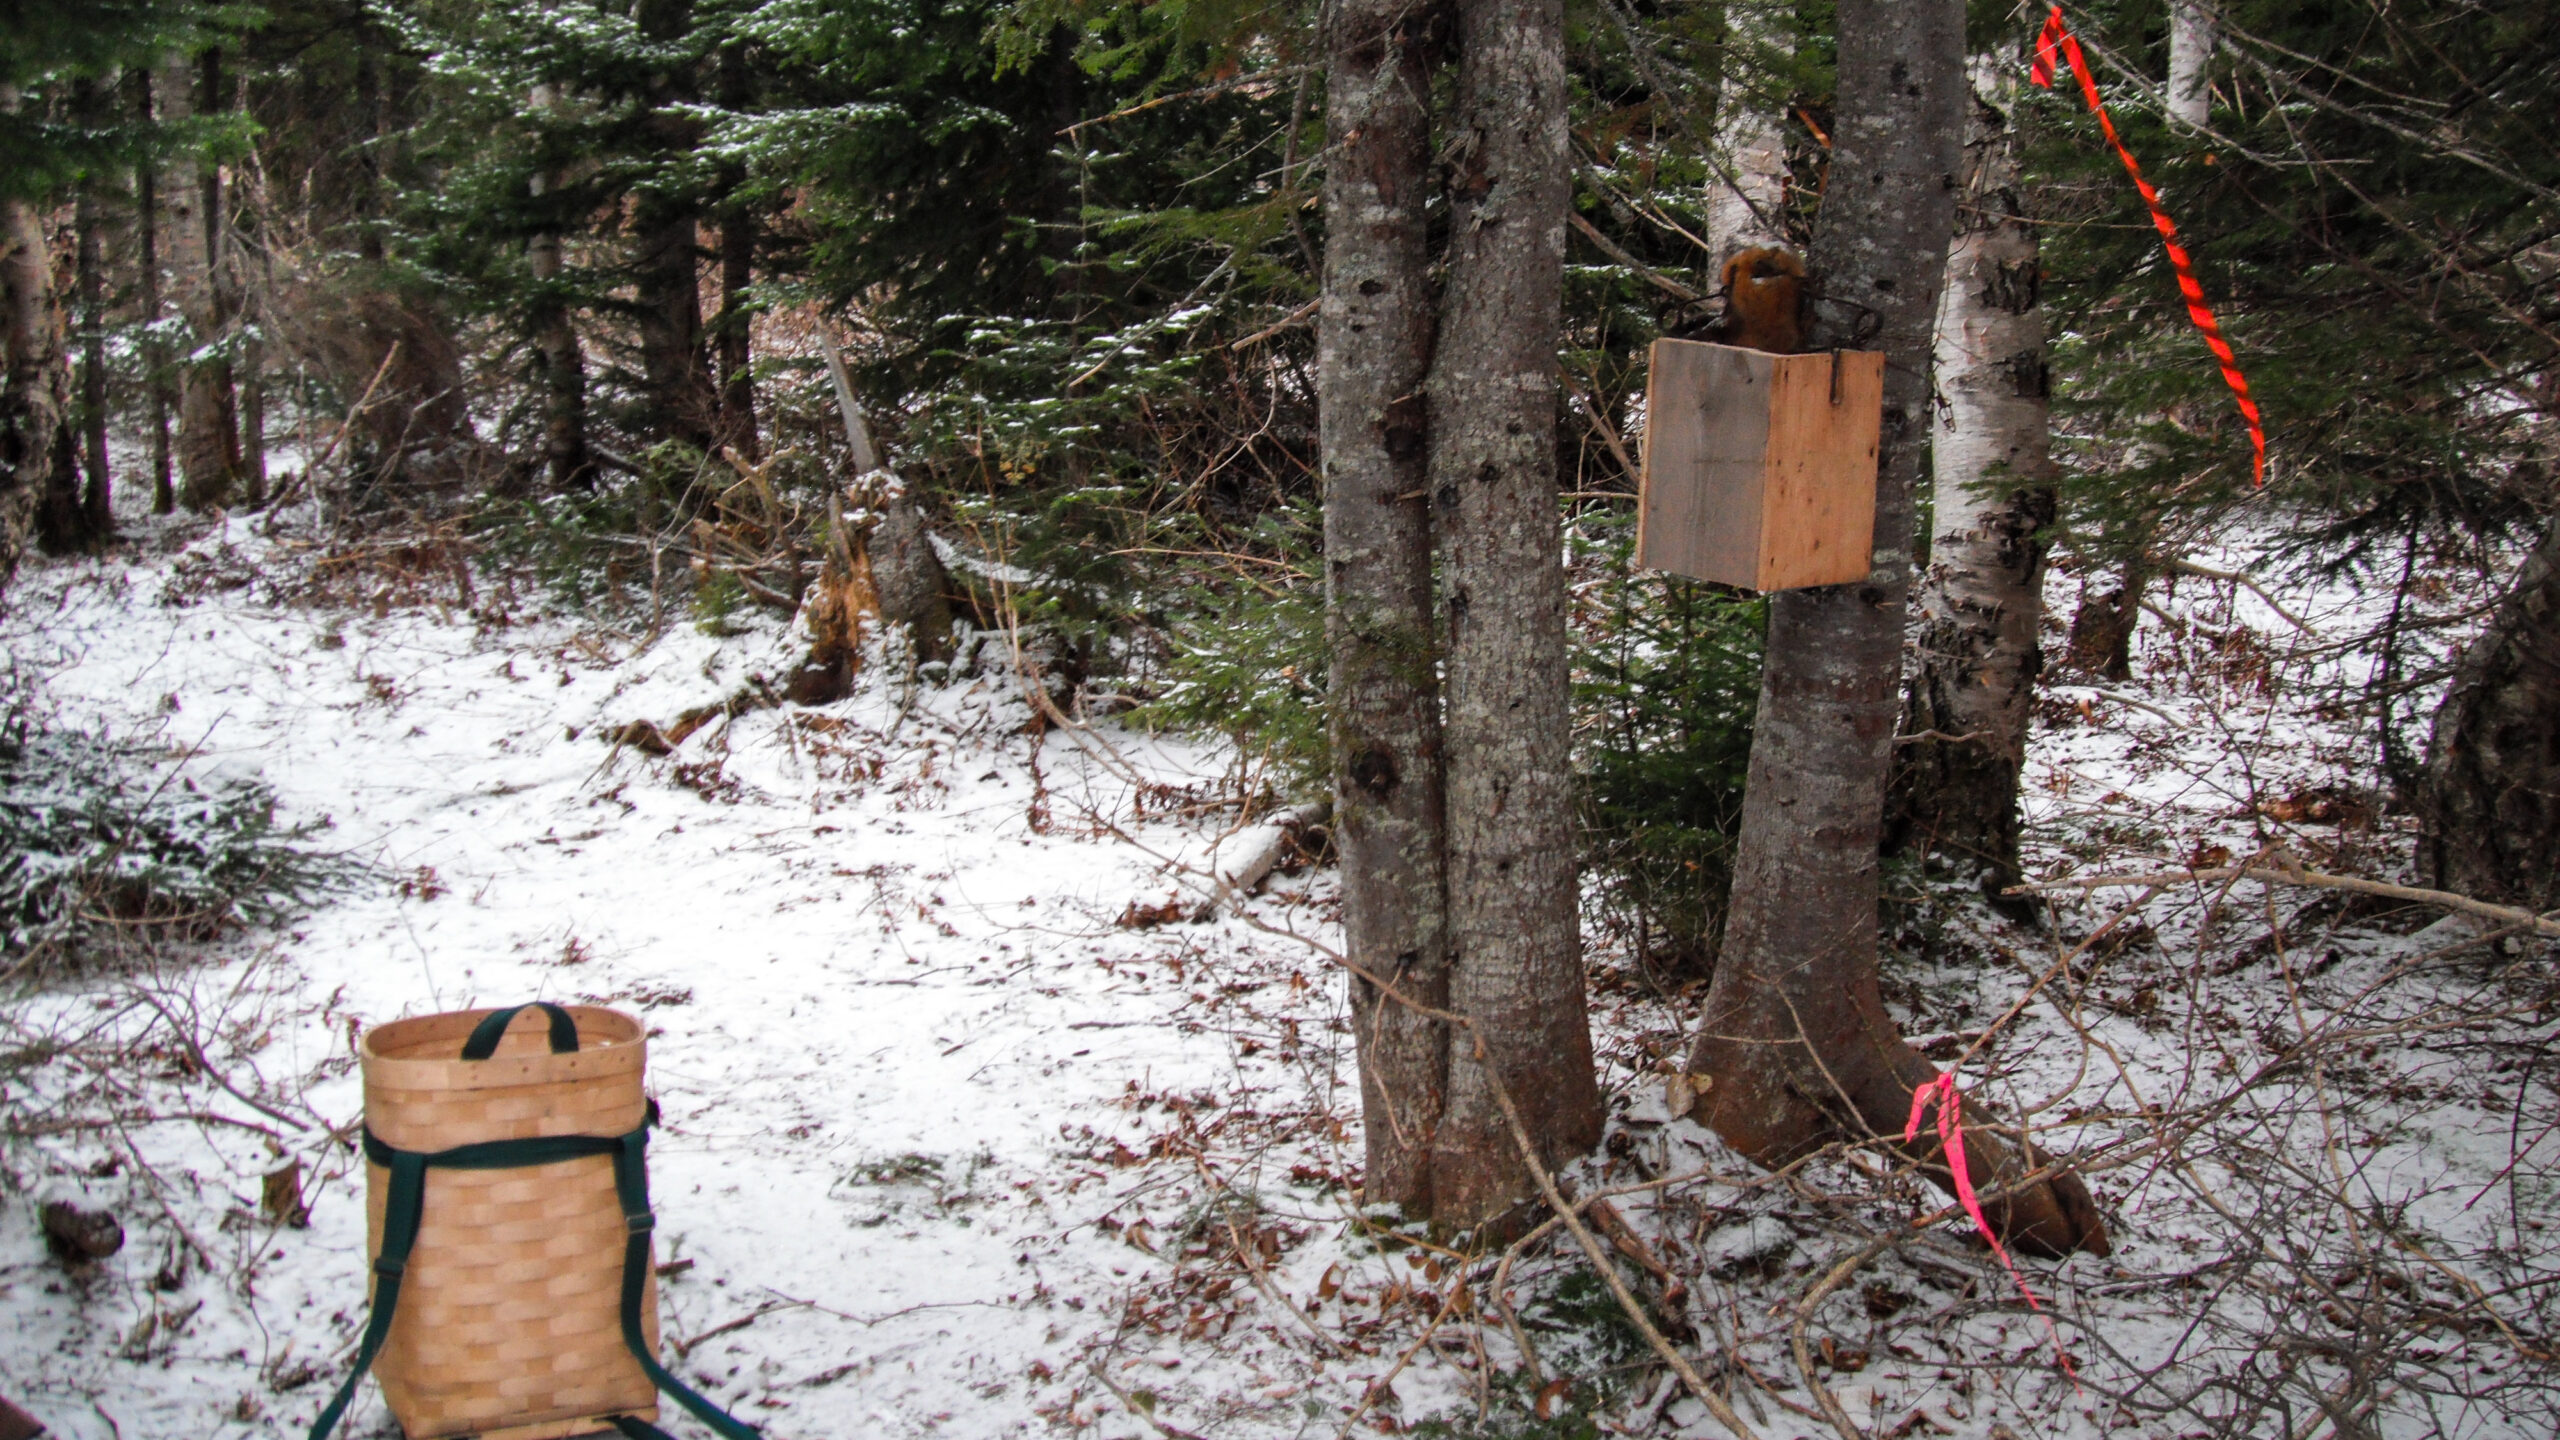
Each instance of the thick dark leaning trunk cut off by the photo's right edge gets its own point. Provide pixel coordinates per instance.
(2492, 793)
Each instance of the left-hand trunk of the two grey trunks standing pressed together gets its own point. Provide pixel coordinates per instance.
(1373, 347)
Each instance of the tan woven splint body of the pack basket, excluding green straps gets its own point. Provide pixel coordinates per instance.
(511, 1311)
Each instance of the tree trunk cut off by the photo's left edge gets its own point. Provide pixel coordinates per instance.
(29, 370)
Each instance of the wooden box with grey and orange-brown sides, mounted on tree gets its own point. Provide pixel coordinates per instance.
(1760, 470)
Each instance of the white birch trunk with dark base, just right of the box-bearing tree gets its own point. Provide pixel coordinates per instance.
(1965, 716)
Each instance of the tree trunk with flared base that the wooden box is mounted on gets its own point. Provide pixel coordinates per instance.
(1793, 1031)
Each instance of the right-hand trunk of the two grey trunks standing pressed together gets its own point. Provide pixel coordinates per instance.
(1514, 913)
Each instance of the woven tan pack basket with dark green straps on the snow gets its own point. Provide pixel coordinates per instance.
(511, 1231)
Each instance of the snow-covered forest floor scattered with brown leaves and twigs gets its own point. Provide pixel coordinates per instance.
(972, 1129)
